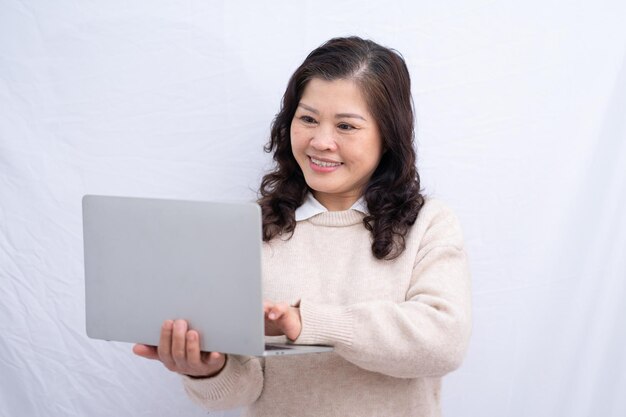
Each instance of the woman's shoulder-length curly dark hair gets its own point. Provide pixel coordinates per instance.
(393, 192)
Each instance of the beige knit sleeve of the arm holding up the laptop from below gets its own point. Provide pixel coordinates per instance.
(239, 384)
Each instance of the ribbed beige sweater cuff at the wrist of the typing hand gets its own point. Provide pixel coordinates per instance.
(324, 324)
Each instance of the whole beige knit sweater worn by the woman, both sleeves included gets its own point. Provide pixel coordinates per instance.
(397, 326)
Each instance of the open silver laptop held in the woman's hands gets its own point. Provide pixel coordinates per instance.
(149, 260)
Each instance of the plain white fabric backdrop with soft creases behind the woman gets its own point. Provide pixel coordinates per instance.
(521, 128)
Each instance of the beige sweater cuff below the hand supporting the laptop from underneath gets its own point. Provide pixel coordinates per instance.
(218, 386)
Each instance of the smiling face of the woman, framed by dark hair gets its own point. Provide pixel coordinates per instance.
(336, 141)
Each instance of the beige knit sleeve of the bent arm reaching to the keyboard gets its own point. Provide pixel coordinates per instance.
(424, 336)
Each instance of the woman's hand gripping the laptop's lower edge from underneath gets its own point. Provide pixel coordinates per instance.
(179, 351)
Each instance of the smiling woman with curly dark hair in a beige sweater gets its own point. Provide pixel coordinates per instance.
(354, 257)
